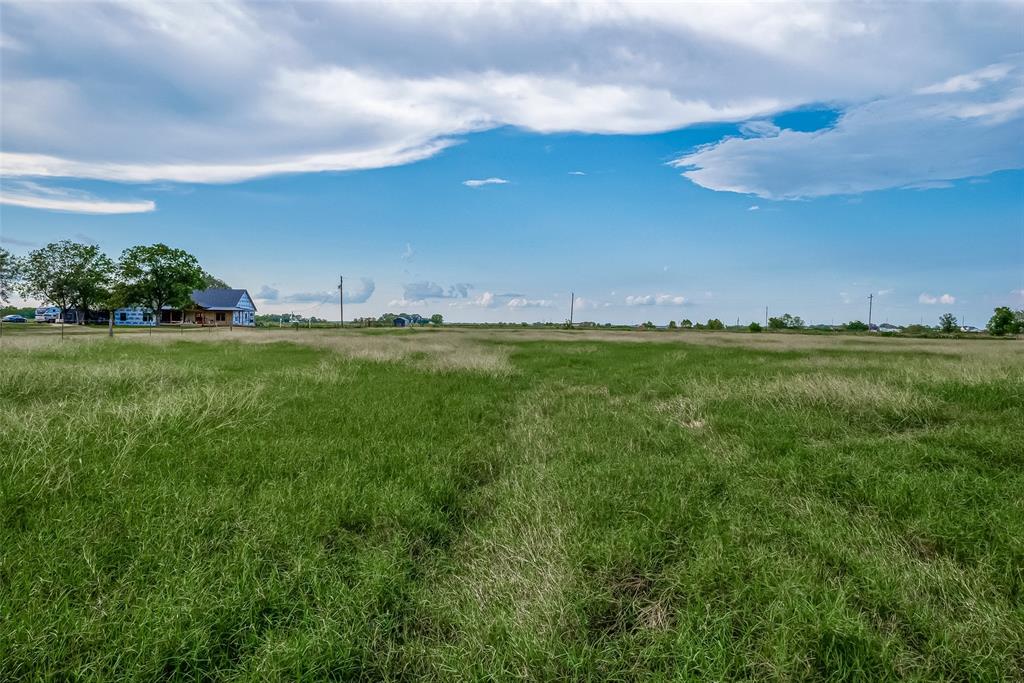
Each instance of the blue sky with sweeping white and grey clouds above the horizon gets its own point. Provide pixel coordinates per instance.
(694, 164)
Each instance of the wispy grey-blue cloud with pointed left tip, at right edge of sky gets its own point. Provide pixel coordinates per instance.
(920, 141)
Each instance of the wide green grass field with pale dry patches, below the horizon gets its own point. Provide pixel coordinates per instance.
(459, 505)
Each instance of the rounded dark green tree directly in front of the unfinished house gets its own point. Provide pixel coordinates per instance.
(159, 276)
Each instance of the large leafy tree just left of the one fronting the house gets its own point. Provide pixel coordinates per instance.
(69, 275)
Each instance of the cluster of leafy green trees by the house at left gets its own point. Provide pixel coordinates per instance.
(75, 276)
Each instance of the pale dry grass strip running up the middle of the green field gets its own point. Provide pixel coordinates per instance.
(504, 594)
